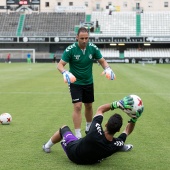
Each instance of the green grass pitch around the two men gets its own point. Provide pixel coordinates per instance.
(39, 102)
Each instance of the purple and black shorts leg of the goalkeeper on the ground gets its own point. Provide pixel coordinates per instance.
(67, 136)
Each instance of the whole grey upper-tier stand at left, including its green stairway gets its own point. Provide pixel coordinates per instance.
(42, 24)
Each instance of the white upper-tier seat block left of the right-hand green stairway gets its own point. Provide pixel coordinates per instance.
(117, 24)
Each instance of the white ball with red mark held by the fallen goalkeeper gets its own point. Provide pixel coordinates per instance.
(138, 104)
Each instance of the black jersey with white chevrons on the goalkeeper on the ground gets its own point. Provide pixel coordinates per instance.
(94, 146)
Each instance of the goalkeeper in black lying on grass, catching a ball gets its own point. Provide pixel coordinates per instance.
(98, 143)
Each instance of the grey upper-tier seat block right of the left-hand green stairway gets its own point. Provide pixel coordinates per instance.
(52, 24)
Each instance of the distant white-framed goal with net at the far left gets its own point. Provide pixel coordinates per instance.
(17, 55)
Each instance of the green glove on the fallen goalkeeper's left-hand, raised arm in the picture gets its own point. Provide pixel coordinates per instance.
(125, 103)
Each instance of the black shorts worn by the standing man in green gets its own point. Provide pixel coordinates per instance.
(82, 93)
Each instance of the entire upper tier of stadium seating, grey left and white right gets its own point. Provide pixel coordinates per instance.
(63, 24)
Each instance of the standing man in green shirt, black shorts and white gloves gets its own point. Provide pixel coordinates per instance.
(80, 57)
